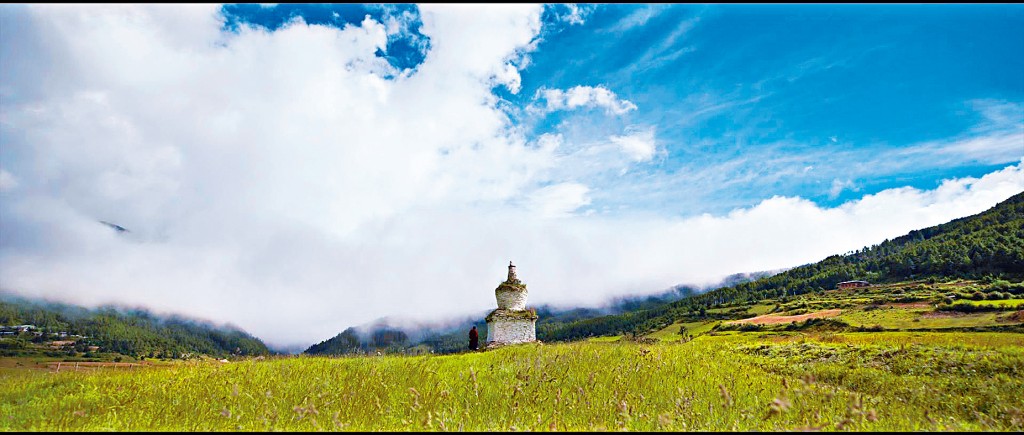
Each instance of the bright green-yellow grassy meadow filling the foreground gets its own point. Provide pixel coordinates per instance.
(722, 382)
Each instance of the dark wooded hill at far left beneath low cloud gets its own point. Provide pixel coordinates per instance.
(109, 331)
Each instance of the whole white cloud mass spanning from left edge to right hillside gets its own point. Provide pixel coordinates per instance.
(279, 182)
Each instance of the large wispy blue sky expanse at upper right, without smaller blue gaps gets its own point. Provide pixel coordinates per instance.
(799, 80)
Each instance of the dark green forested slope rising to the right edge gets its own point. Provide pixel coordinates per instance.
(988, 246)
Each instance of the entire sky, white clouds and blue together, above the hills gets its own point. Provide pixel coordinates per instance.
(301, 169)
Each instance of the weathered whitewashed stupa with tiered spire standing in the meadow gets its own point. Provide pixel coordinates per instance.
(513, 322)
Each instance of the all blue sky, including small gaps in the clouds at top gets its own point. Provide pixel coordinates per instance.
(807, 101)
